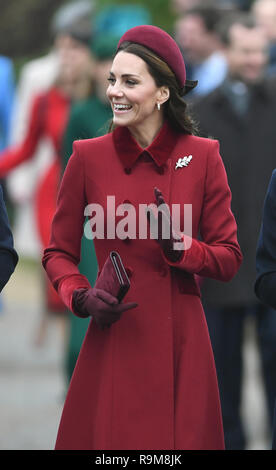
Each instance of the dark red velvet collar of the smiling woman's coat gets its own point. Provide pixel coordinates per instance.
(129, 150)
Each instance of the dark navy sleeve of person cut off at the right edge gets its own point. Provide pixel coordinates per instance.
(265, 285)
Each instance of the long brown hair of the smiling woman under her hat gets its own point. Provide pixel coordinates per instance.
(175, 108)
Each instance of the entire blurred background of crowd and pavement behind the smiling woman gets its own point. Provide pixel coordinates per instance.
(55, 56)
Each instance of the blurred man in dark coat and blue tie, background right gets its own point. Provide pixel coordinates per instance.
(241, 115)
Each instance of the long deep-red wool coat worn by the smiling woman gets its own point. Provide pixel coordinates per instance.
(149, 381)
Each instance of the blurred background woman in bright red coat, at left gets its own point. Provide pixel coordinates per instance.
(48, 119)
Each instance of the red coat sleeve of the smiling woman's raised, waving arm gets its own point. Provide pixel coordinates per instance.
(217, 255)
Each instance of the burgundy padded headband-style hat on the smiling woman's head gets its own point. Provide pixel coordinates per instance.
(164, 46)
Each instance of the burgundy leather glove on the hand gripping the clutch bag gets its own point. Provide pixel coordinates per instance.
(102, 306)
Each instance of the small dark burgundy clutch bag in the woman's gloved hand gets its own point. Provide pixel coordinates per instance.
(113, 277)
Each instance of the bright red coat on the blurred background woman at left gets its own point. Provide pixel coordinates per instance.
(48, 118)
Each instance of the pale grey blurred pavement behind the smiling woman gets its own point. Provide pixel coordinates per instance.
(32, 383)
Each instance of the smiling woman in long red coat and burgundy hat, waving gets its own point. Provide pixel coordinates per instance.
(145, 377)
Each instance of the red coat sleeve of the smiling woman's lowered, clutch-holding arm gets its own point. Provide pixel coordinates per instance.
(62, 256)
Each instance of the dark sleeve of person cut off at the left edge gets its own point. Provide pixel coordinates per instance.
(8, 255)
